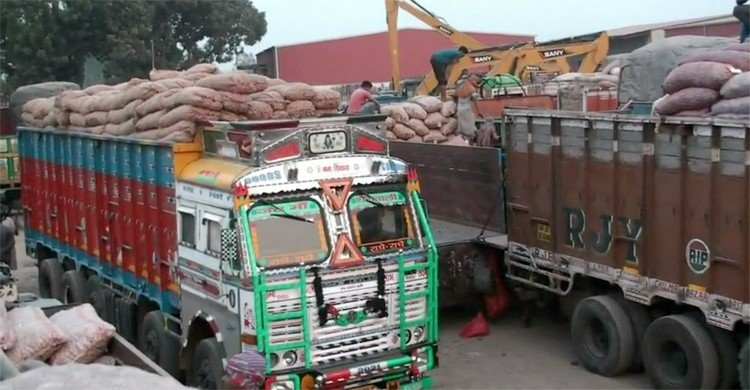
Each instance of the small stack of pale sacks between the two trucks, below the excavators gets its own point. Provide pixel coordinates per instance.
(422, 119)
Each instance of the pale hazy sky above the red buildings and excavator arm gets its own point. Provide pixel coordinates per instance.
(299, 21)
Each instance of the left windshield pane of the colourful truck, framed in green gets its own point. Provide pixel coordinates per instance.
(287, 233)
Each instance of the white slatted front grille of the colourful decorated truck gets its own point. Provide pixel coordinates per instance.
(331, 343)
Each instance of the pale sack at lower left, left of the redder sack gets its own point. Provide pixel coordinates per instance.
(36, 335)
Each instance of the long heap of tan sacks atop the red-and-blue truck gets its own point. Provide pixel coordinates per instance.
(168, 106)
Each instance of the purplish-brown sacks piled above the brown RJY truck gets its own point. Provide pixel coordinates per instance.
(693, 88)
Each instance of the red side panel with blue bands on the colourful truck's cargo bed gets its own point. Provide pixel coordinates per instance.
(107, 204)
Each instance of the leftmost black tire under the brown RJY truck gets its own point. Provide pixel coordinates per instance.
(603, 338)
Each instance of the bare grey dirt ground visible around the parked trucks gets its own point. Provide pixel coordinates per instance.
(510, 357)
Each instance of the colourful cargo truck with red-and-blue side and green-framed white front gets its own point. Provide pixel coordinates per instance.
(304, 241)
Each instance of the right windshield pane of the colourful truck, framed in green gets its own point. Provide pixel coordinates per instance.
(381, 221)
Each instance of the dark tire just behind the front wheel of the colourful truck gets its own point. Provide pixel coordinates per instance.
(154, 342)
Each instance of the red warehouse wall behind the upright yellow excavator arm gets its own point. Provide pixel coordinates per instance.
(367, 57)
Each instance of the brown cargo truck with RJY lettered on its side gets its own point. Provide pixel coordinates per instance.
(643, 222)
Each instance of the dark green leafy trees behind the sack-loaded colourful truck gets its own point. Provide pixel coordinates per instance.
(46, 40)
